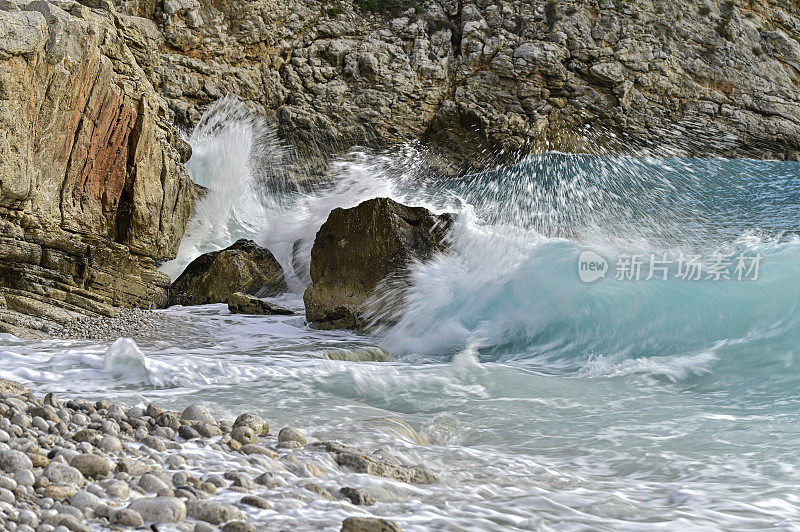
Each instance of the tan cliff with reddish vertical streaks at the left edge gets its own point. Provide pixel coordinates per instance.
(92, 186)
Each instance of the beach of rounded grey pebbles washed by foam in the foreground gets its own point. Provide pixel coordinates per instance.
(79, 465)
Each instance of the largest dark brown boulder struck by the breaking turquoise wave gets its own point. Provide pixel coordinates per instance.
(357, 248)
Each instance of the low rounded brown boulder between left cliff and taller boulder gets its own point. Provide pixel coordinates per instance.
(214, 277)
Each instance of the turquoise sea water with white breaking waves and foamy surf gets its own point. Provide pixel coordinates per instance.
(547, 402)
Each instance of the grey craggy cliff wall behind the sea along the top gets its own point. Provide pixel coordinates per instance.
(705, 76)
